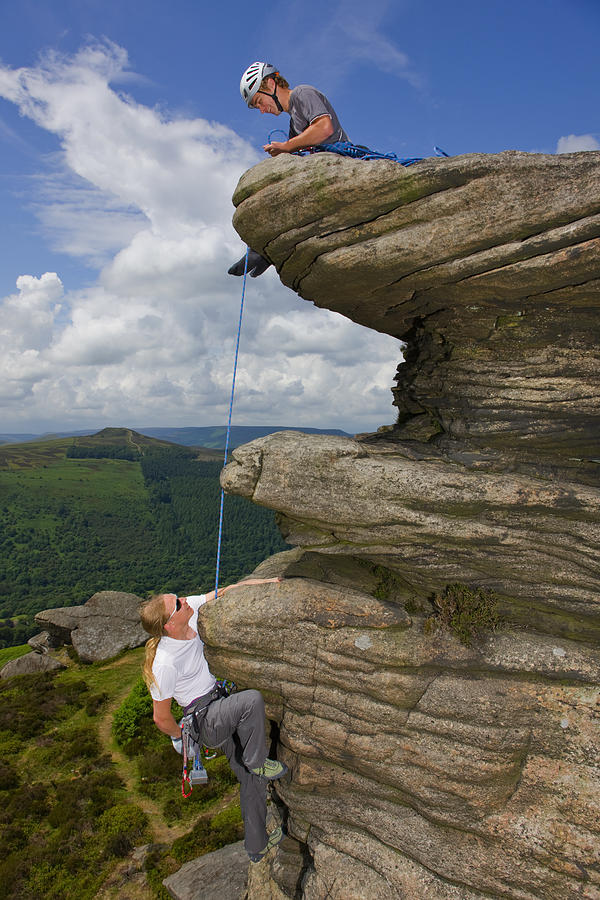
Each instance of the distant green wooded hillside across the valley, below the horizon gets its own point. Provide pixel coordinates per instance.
(115, 511)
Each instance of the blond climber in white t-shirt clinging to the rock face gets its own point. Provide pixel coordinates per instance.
(175, 668)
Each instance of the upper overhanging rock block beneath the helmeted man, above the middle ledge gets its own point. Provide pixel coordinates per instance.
(489, 266)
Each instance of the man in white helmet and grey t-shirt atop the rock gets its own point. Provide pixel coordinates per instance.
(313, 119)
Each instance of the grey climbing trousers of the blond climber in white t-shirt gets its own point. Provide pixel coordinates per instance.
(236, 724)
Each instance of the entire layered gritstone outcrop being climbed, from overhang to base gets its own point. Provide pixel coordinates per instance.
(427, 762)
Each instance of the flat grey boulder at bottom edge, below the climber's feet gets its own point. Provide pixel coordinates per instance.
(221, 875)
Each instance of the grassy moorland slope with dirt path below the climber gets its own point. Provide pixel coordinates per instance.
(85, 778)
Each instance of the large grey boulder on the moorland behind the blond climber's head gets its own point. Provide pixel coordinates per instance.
(100, 629)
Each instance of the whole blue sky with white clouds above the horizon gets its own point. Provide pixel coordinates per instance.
(122, 135)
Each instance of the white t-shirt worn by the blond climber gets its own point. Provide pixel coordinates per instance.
(179, 668)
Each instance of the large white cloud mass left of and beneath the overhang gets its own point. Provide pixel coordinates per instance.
(145, 199)
